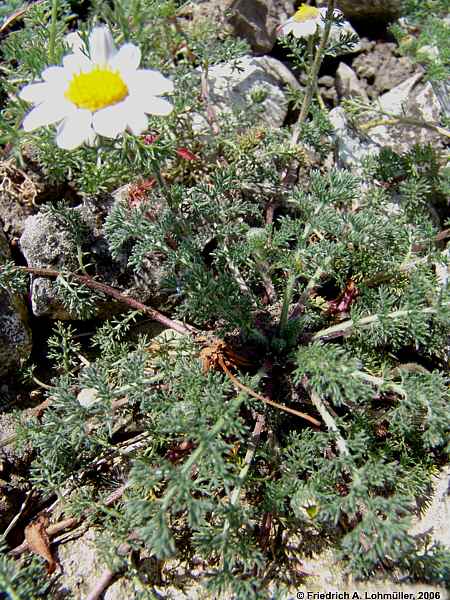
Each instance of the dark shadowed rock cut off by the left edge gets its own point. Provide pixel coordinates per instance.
(15, 334)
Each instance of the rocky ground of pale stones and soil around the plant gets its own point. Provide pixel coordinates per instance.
(374, 72)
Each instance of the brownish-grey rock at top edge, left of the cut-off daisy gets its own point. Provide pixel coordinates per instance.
(257, 21)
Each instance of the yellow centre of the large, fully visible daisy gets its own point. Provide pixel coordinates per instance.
(94, 90)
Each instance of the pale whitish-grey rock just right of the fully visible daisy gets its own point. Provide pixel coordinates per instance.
(232, 88)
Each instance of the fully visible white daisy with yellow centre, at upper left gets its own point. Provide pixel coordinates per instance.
(103, 94)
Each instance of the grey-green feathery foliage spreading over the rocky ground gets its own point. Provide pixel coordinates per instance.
(333, 308)
